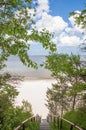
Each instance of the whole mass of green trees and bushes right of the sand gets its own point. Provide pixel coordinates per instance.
(67, 94)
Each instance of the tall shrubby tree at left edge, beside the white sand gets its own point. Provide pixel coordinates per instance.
(7, 97)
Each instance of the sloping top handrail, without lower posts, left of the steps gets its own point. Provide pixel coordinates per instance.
(23, 122)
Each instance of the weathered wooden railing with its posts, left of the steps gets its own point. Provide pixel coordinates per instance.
(22, 126)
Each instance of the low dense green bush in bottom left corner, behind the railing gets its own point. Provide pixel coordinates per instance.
(14, 116)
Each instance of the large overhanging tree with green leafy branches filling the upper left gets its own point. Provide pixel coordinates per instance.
(17, 28)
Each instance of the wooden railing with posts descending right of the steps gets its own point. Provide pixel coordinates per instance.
(58, 120)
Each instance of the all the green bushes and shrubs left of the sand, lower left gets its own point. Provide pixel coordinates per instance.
(11, 116)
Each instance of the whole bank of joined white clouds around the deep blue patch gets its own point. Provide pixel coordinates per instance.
(64, 34)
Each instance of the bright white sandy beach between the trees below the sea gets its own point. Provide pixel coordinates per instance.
(34, 90)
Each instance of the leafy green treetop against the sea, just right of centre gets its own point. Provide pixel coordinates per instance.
(57, 64)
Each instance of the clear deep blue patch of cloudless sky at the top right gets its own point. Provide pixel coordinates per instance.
(64, 7)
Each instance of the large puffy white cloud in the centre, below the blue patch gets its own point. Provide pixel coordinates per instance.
(52, 23)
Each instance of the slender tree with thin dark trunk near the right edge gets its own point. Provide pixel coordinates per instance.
(78, 84)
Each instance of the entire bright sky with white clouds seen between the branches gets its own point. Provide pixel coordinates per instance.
(54, 16)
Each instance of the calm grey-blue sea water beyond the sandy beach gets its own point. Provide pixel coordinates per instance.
(16, 68)
